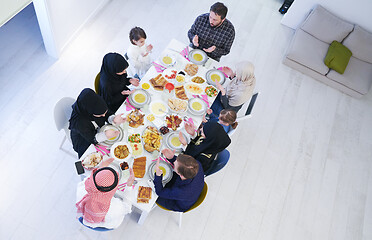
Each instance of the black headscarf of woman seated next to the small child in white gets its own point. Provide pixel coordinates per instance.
(112, 64)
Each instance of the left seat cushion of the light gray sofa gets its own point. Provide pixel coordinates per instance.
(308, 51)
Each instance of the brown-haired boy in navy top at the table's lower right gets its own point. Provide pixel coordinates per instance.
(183, 190)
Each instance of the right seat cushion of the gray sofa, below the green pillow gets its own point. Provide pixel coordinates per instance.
(357, 76)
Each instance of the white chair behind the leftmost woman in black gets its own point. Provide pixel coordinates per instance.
(62, 114)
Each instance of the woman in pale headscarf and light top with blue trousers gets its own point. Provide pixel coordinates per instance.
(238, 90)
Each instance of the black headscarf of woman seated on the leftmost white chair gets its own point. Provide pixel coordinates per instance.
(87, 104)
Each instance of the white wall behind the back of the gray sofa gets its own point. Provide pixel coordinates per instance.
(354, 11)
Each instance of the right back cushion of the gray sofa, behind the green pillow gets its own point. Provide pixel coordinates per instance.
(360, 44)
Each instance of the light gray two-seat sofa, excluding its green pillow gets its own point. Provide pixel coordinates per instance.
(310, 44)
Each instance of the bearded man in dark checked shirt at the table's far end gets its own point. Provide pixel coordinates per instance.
(212, 32)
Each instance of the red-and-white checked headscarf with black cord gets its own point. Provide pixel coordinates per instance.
(96, 203)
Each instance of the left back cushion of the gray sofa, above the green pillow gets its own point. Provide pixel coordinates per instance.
(325, 26)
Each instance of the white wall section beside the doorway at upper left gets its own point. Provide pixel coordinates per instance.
(60, 21)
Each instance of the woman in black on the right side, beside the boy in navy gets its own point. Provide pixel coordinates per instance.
(210, 140)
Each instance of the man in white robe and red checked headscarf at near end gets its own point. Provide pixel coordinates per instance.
(96, 201)
